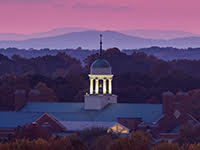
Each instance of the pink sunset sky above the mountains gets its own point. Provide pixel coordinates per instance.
(30, 16)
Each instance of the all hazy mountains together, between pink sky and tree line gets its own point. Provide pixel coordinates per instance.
(88, 39)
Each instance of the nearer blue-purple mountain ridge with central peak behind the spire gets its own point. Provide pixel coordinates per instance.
(90, 39)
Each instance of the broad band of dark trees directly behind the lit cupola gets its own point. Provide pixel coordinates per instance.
(138, 78)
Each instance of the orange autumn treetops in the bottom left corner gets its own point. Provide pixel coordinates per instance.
(64, 143)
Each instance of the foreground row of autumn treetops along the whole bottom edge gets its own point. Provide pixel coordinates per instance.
(97, 139)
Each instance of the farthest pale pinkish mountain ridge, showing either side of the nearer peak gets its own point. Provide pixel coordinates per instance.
(147, 33)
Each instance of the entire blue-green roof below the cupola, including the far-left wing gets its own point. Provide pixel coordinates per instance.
(76, 112)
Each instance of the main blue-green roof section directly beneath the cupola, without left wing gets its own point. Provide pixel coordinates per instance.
(76, 111)
